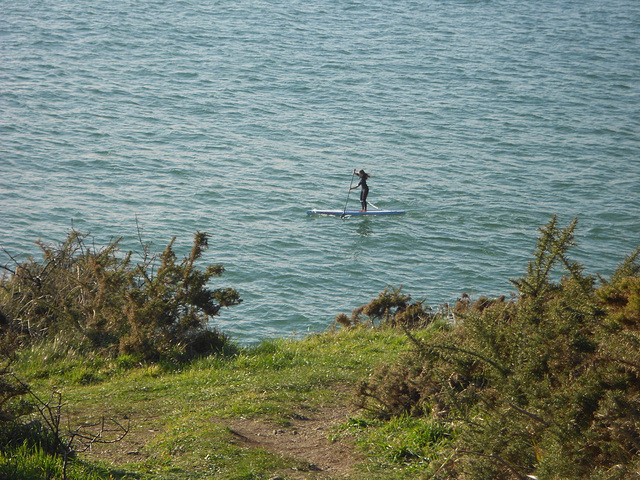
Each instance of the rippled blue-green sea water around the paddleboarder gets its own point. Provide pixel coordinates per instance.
(481, 118)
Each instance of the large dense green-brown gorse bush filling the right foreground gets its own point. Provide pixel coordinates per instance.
(546, 385)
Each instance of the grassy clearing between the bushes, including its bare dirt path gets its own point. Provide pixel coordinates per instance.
(236, 417)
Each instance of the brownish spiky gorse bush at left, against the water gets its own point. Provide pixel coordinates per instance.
(92, 299)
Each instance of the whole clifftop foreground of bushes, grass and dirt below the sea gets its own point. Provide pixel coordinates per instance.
(110, 371)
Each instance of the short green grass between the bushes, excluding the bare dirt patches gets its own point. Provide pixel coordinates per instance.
(179, 407)
